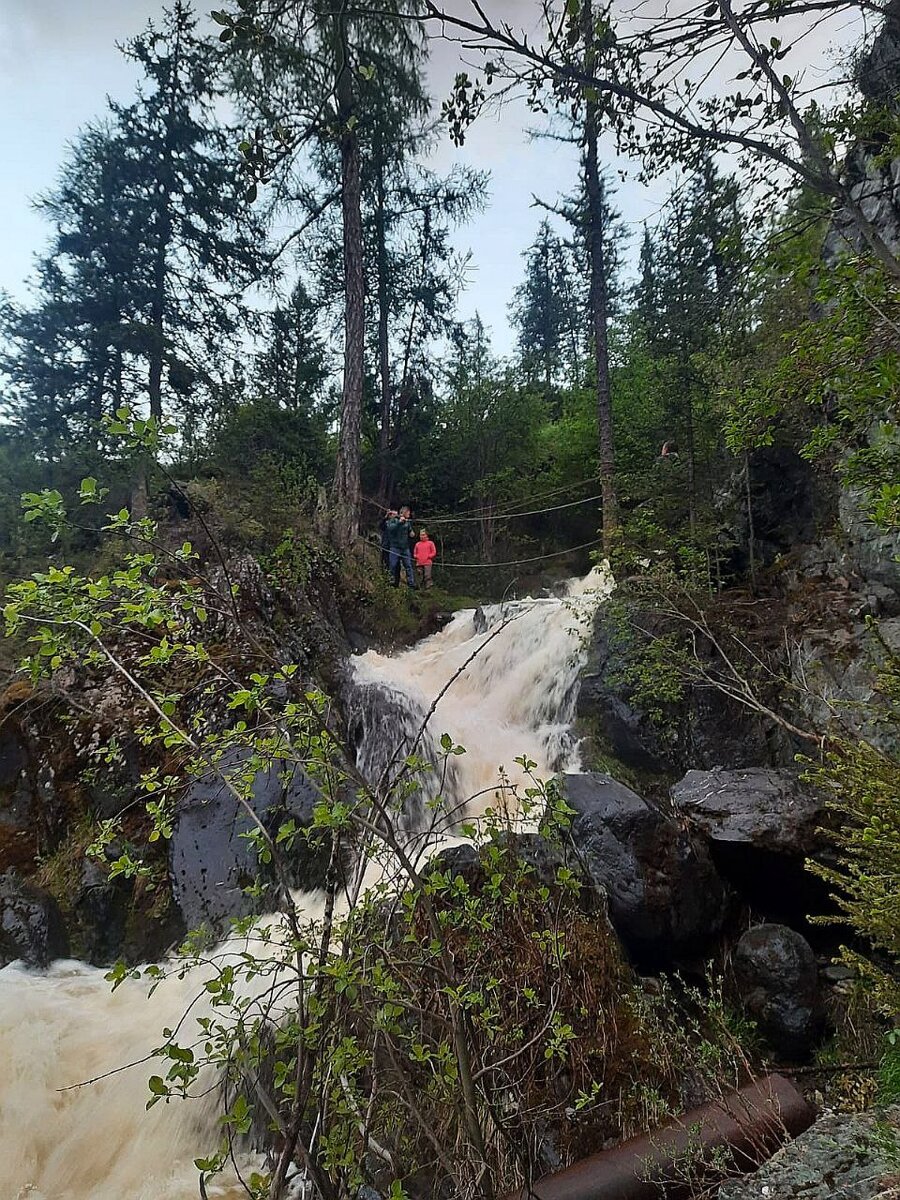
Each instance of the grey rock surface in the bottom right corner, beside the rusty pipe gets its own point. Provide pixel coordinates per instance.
(841, 1157)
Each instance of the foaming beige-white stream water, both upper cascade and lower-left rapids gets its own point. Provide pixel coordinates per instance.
(63, 1028)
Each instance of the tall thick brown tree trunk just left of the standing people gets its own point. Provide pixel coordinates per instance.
(347, 494)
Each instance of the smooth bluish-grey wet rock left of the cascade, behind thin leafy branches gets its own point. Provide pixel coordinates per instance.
(211, 860)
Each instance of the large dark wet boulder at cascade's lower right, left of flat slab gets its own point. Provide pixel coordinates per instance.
(665, 896)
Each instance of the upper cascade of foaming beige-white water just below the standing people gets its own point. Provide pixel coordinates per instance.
(517, 697)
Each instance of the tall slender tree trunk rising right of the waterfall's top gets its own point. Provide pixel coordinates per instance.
(599, 303)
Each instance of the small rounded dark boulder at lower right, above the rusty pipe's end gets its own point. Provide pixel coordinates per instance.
(778, 977)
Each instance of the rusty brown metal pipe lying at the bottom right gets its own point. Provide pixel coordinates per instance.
(752, 1124)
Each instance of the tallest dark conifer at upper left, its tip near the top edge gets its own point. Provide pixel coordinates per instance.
(203, 250)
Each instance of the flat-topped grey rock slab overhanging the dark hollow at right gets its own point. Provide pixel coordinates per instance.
(760, 807)
